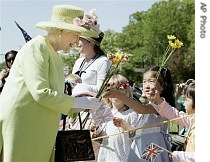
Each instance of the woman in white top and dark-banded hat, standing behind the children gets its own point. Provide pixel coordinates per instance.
(93, 64)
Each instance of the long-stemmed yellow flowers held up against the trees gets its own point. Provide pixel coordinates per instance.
(174, 44)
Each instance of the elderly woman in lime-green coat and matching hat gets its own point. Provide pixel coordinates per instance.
(33, 99)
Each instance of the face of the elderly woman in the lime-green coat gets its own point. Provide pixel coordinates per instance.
(68, 40)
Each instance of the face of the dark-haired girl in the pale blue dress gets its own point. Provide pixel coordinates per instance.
(149, 80)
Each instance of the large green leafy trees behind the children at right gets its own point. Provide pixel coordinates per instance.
(145, 37)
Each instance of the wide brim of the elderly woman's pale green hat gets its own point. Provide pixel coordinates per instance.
(45, 25)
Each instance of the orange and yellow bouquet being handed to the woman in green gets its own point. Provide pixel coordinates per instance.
(116, 59)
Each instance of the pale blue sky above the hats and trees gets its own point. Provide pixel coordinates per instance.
(112, 14)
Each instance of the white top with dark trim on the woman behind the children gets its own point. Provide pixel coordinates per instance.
(94, 73)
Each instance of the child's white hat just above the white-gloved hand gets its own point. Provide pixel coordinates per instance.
(83, 89)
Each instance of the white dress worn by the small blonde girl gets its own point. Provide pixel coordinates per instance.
(116, 148)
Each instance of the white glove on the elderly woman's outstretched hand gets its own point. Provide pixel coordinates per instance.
(87, 103)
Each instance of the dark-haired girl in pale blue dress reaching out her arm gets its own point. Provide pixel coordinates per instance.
(157, 134)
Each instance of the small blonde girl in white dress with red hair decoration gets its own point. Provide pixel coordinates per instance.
(115, 148)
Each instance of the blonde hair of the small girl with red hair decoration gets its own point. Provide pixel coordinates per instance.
(120, 82)
